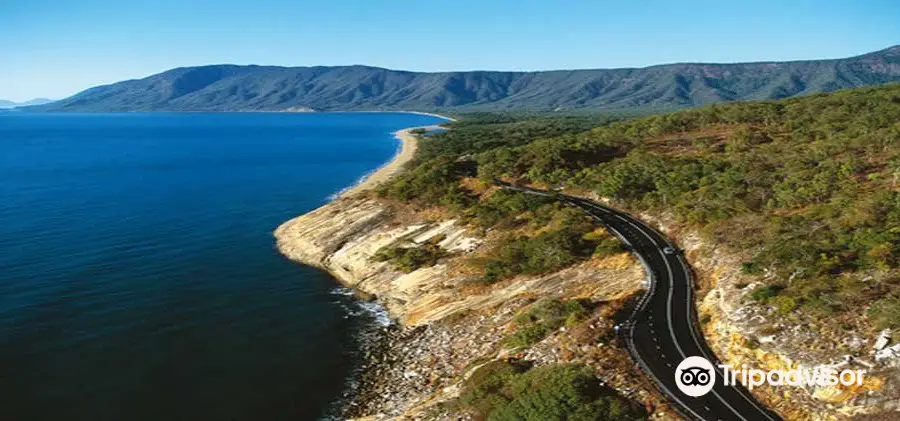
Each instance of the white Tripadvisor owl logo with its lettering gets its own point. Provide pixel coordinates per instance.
(695, 376)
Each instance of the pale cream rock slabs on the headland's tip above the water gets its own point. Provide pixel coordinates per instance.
(342, 238)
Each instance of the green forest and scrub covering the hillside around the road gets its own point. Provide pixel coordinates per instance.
(807, 186)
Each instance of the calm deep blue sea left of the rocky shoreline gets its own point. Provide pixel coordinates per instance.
(138, 277)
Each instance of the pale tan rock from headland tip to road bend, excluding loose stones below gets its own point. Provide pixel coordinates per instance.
(342, 238)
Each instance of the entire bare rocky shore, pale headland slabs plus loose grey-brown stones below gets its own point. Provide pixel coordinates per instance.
(448, 326)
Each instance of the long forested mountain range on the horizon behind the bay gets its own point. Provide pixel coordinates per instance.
(339, 88)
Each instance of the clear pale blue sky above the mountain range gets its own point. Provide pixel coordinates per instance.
(54, 48)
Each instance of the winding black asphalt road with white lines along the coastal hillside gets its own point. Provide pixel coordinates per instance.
(663, 330)
